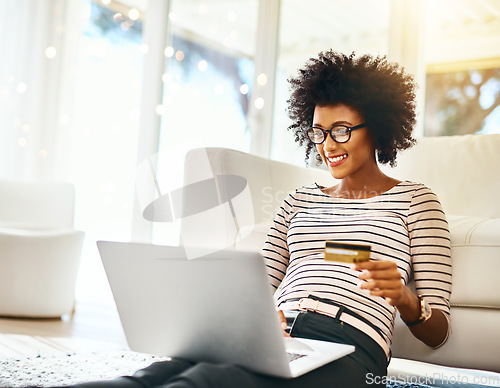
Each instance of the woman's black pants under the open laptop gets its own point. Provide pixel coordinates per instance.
(358, 369)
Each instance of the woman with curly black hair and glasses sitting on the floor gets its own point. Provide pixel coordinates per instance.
(350, 112)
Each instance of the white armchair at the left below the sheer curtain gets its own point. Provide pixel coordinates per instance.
(39, 249)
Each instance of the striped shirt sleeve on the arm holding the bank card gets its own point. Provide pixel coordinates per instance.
(430, 250)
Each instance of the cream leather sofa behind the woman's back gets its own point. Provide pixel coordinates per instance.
(464, 171)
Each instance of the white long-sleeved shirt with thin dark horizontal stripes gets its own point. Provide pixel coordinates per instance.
(406, 224)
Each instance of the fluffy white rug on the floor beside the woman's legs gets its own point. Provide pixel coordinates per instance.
(57, 361)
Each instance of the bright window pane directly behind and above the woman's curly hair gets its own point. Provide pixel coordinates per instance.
(306, 28)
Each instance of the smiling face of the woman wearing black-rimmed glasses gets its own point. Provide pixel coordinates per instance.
(350, 158)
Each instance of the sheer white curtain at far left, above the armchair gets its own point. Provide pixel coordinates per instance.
(38, 41)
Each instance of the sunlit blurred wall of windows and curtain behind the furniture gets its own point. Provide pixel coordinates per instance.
(89, 89)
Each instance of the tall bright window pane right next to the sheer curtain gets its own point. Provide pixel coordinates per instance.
(103, 149)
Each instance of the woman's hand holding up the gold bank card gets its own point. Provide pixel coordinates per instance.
(382, 278)
